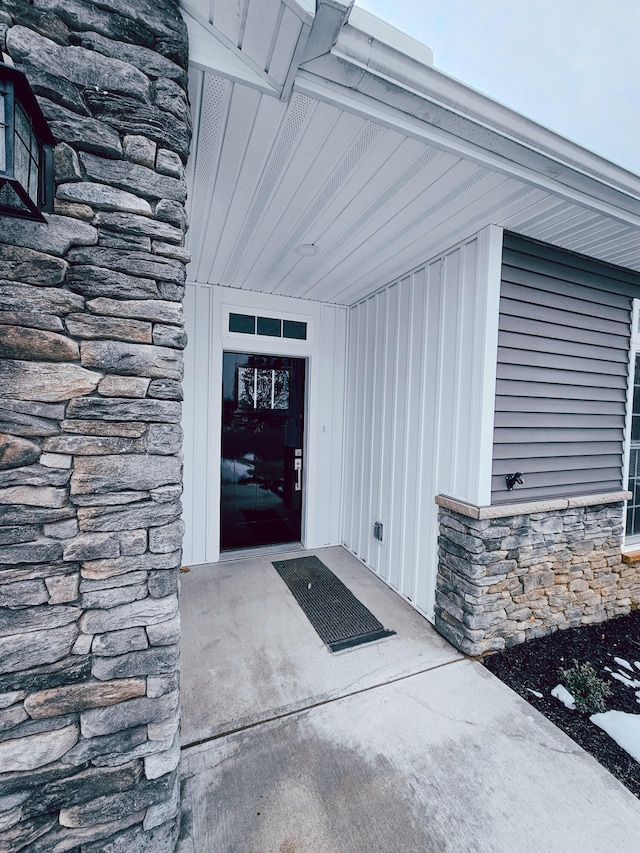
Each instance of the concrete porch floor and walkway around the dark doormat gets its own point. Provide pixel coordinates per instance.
(402, 745)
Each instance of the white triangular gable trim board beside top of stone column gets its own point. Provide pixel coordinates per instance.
(209, 54)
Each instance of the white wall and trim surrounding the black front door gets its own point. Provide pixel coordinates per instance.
(207, 309)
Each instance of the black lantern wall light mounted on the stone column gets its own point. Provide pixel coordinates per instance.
(26, 149)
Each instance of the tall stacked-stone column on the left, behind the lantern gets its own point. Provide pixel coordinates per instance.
(91, 340)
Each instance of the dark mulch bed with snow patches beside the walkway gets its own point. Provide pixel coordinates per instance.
(535, 665)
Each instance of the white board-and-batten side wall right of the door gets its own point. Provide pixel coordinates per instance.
(420, 390)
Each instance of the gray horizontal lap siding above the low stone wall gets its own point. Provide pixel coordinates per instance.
(563, 356)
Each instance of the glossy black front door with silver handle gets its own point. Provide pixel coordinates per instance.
(262, 441)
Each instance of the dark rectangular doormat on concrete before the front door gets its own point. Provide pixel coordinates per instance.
(340, 620)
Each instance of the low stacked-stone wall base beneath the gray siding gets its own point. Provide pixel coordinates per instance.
(502, 581)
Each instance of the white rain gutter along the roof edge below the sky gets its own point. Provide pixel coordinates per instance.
(400, 81)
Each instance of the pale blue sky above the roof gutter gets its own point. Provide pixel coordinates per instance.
(571, 65)
